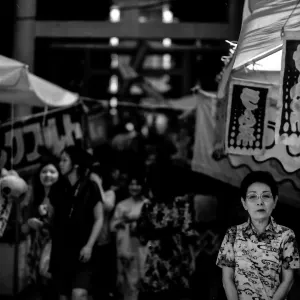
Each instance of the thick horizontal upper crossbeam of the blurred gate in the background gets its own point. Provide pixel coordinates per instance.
(132, 30)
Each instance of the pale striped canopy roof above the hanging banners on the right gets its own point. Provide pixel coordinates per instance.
(261, 30)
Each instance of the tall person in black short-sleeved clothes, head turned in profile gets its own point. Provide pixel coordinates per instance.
(77, 224)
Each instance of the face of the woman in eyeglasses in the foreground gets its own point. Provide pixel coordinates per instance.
(259, 202)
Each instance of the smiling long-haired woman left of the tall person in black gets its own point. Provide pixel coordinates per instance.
(47, 188)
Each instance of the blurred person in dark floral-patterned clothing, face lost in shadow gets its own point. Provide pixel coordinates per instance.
(166, 226)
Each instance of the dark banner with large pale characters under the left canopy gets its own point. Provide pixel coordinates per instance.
(23, 139)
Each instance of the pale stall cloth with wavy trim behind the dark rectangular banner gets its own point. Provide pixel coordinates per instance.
(233, 168)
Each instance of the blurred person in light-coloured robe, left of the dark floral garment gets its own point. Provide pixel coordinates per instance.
(130, 253)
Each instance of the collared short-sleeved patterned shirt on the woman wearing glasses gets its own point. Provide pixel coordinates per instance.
(258, 259)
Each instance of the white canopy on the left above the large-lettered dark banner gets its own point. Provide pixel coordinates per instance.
(19, 86)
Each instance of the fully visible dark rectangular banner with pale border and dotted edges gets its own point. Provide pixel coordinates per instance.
(246, 119)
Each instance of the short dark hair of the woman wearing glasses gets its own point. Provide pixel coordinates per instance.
(259, 177)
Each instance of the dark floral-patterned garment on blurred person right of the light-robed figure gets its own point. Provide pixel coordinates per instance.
(169, 262)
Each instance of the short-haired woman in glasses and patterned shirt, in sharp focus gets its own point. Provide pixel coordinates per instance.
(258, 257)
